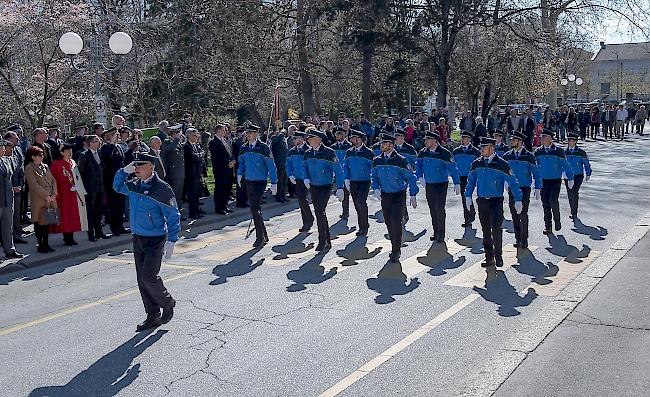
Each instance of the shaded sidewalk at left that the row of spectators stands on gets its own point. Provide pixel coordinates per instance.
(209, 222)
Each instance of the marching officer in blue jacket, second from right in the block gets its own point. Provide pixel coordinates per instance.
(552, 164)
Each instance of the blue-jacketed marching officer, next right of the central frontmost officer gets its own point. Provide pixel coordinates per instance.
(435, 165)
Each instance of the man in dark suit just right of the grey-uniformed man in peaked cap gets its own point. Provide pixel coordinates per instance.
(194, 157)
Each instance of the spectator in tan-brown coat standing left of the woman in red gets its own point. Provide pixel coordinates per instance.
(42, 195)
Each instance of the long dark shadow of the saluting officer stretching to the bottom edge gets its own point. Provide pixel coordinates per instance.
(108, 375)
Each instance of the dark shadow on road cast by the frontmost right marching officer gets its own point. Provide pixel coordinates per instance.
(498, 290)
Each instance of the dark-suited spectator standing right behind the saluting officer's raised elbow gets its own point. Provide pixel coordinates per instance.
(112, 157)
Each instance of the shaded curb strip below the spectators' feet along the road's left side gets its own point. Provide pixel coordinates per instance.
(105, 245)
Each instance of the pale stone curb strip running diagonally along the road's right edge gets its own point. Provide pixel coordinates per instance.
(496, 370)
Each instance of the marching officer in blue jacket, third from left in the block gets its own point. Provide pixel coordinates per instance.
(320, 167)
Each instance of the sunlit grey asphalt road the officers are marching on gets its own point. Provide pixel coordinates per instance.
(285, 321)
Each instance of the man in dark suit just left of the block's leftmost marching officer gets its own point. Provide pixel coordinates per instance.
(223, 164)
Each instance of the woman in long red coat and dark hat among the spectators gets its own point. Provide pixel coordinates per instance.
(70, 196)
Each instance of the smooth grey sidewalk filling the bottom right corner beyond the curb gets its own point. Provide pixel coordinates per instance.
(603, 347)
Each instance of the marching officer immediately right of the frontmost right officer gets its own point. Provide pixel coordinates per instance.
(524, 166)
